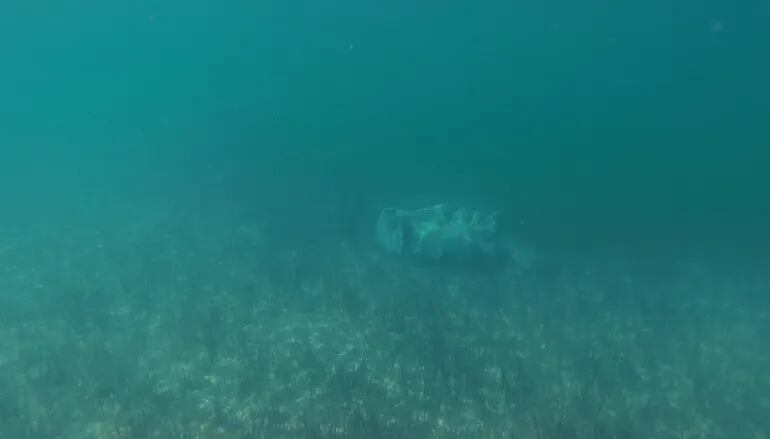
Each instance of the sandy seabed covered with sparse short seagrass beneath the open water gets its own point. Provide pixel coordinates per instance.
(185, 327)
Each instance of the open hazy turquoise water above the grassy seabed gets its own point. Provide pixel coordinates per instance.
(601, 112)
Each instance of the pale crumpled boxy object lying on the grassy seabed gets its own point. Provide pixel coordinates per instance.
(439, 233)
